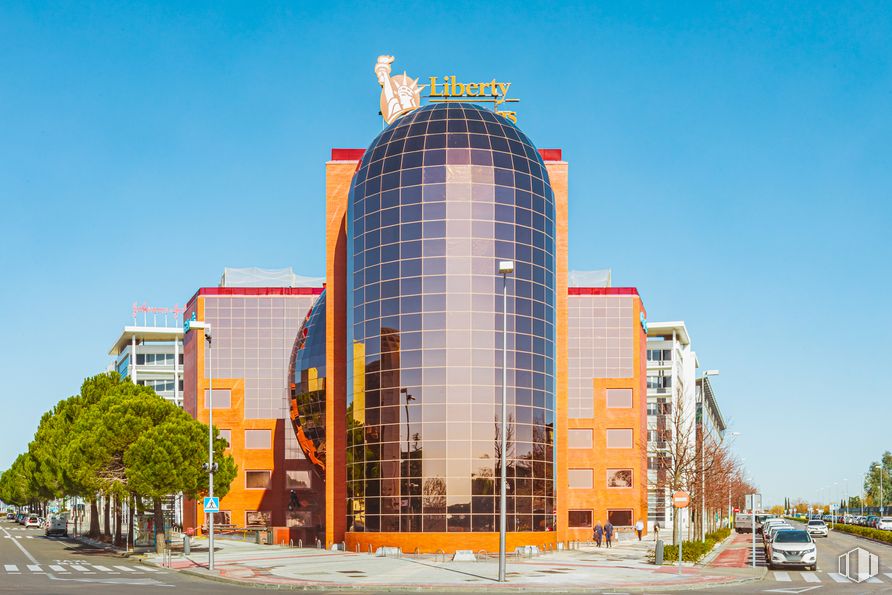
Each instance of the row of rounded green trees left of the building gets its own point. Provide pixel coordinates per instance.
(120, 442)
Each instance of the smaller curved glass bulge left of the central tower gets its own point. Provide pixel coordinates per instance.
(307, 374)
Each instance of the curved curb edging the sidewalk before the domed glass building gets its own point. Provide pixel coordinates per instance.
(327, 588)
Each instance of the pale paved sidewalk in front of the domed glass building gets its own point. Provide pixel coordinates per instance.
(623, 567)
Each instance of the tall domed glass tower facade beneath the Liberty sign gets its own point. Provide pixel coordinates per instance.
(440, 197)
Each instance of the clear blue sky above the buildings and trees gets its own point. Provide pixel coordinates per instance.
(733, 163)
